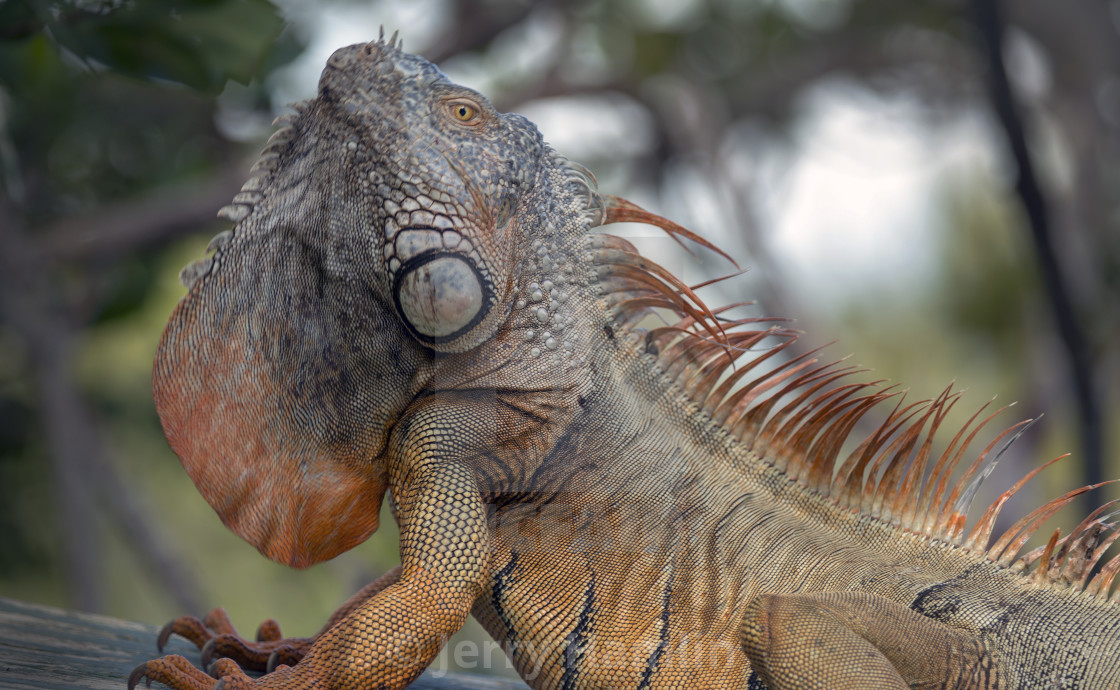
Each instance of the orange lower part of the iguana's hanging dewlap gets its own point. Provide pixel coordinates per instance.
(273, 474)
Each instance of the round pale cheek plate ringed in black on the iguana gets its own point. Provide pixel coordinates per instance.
(441, 296)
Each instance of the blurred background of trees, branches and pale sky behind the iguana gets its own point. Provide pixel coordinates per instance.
(935, 184)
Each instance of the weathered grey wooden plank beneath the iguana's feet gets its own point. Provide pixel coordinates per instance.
(50, 649)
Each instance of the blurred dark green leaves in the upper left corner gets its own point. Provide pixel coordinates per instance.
(94, 110)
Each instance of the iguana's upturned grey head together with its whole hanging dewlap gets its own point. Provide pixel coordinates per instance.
(378, 230)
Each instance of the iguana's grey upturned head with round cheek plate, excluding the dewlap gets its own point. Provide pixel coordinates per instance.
(445, 176)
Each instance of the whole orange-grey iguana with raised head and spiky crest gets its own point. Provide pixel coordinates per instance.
(416, 301)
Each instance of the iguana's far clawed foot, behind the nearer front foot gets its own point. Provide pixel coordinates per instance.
(217, 638)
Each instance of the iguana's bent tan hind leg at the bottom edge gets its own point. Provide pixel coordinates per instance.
(855, 640)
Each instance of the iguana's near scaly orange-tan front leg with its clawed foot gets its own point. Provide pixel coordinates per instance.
(388, 640)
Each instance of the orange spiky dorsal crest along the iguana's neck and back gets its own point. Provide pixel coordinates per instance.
(800, 415)
